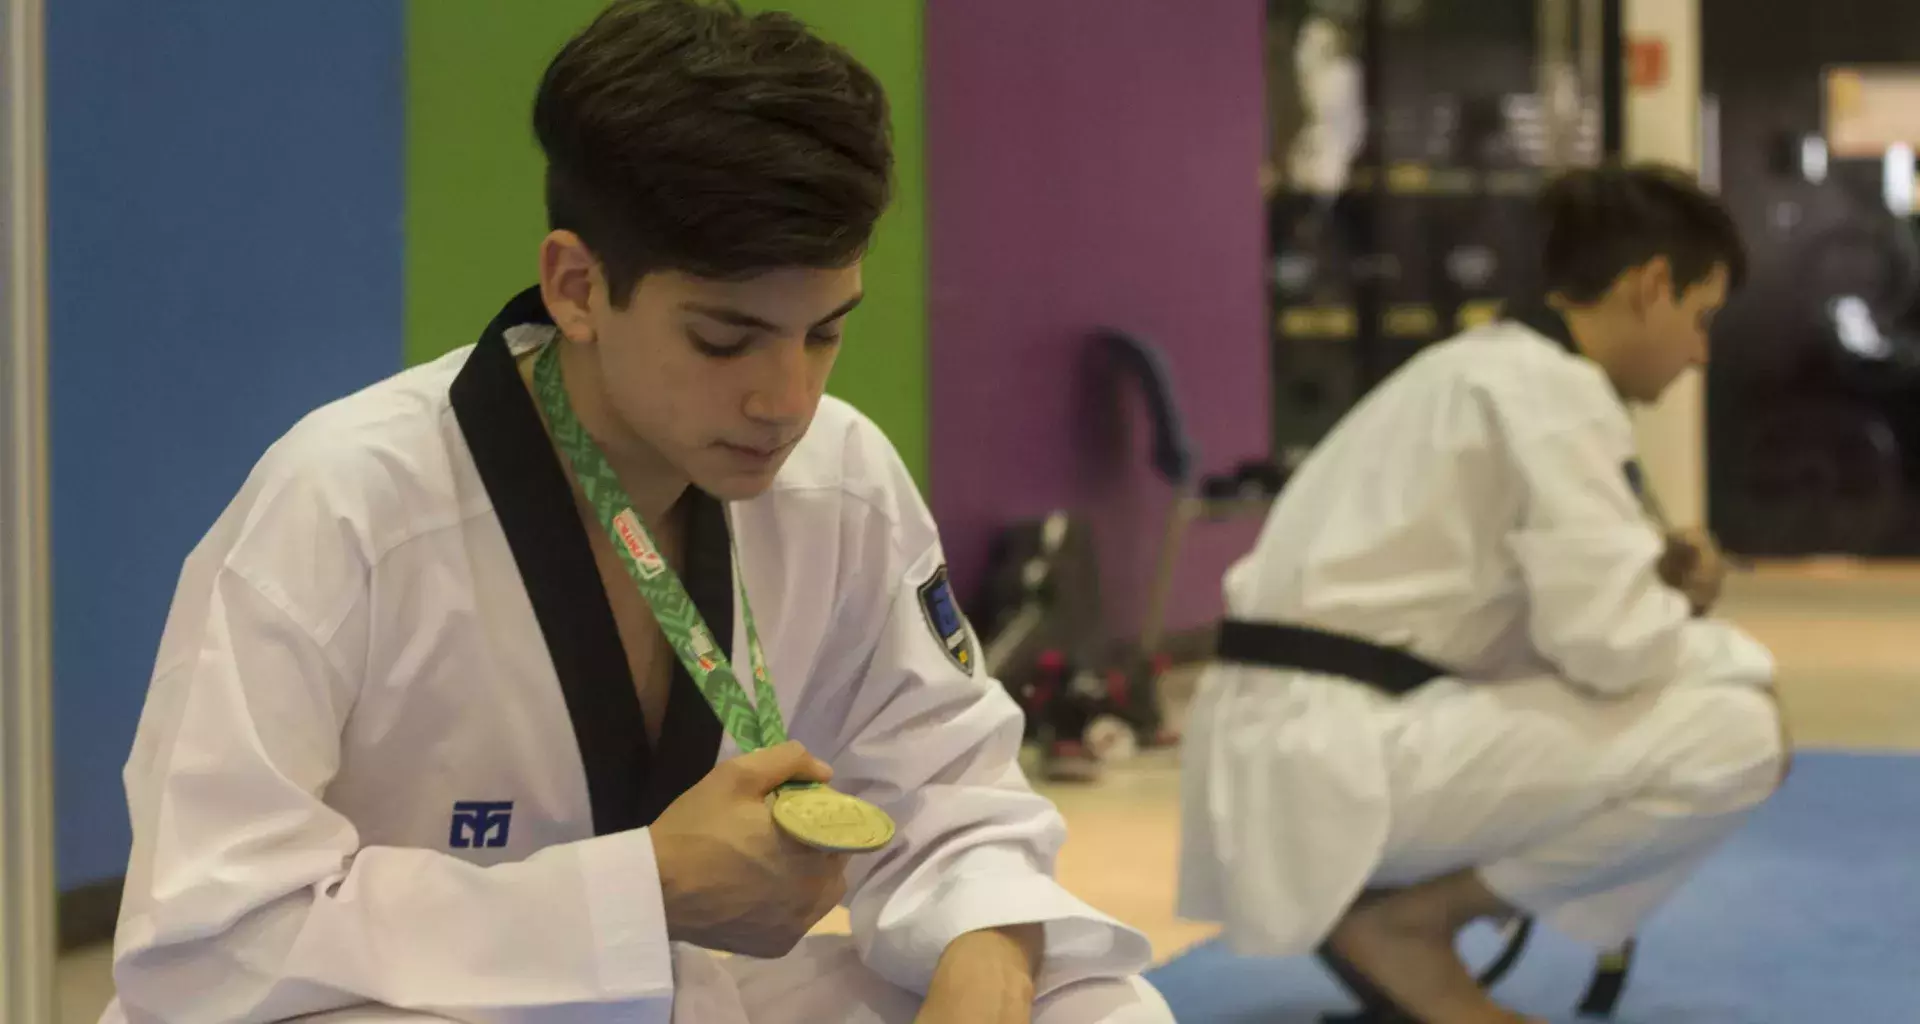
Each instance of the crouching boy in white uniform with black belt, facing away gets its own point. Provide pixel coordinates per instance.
(1464, 671)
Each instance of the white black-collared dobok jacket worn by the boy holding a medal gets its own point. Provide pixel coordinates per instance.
(393, 752)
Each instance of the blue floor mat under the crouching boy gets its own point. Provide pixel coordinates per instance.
(1810, 915)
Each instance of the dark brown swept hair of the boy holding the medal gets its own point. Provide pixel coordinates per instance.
(686, 135)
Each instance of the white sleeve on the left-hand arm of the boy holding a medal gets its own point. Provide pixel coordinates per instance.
(251, 900)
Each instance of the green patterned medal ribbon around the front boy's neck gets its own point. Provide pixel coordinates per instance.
(754, 723)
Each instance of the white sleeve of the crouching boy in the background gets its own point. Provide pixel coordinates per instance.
(1589, 560)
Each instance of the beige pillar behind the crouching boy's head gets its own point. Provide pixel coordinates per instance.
(1664, 124)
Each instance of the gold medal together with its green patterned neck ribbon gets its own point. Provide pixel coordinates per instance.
(809, 812)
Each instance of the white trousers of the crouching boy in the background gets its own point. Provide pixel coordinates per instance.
(1583, 814)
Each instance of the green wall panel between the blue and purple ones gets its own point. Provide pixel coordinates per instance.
(473, 185)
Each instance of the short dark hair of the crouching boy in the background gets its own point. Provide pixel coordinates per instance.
(1602, 222)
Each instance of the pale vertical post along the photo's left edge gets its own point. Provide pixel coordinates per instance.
(28, 933)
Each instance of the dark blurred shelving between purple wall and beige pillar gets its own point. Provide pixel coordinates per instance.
(1408, 141)
